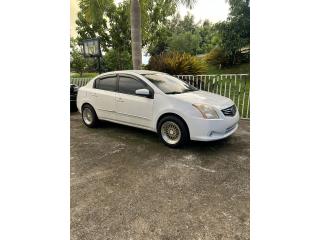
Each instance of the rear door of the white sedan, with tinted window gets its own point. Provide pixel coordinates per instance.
(105, 91)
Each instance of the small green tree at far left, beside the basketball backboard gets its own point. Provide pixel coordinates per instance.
(77, 61)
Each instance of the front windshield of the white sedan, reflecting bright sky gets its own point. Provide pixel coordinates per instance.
(169, 84)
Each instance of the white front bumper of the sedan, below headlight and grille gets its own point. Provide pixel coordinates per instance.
(201, 129)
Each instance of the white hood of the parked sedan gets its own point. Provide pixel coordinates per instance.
(204, 97)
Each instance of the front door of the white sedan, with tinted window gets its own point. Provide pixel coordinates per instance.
(131, 108)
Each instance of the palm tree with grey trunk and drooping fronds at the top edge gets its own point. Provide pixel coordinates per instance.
(94, 9)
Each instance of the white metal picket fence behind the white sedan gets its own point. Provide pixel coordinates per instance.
(233, 86)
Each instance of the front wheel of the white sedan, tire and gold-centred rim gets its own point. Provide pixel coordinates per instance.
(173, 131)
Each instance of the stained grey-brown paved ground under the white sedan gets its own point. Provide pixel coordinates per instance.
(125, 184)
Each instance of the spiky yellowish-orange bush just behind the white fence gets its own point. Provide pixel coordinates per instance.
(177, 63)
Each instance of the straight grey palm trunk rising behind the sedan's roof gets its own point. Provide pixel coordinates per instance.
(135, 19)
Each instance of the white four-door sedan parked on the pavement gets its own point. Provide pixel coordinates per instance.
(160, 103)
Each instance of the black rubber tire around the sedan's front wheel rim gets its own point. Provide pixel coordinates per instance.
(184, 132)
